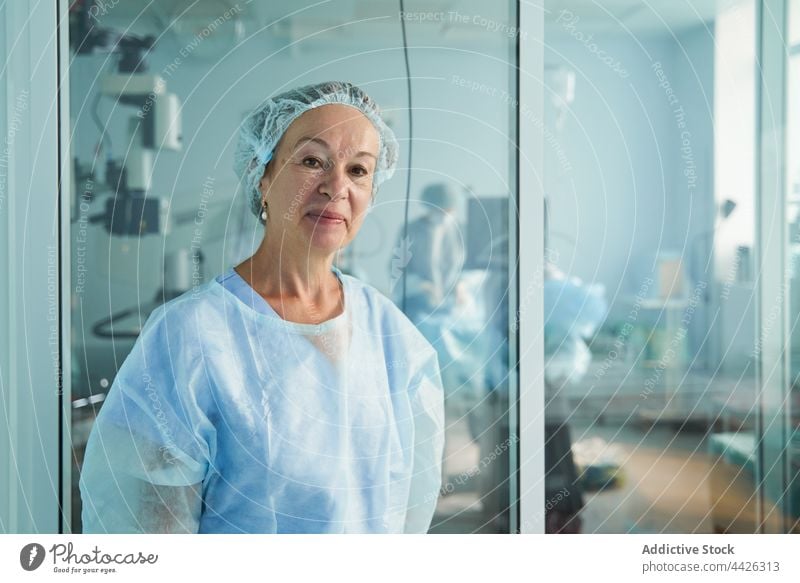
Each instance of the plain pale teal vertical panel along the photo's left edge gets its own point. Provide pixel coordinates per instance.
(31, 307)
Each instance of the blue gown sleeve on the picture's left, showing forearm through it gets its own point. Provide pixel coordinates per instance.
(152, 441)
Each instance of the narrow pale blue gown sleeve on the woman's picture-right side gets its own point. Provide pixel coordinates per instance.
(427, 406)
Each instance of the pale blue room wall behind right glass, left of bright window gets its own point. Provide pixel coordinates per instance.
(625, 198)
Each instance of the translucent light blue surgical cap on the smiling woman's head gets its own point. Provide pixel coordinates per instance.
(264, 127)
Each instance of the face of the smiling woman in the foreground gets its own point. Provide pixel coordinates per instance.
(318, 186)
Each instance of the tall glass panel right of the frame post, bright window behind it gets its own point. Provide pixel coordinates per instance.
(650, 324)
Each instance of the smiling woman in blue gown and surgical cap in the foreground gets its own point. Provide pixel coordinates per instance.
(270, 400)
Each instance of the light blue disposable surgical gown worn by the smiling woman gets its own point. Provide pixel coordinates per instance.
(227, 418)
